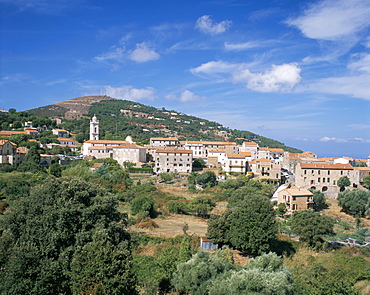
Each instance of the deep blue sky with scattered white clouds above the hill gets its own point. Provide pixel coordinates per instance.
(295, 71)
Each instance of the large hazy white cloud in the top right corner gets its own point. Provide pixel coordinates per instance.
(333, 19)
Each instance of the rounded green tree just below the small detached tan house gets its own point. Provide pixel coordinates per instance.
(310, 226)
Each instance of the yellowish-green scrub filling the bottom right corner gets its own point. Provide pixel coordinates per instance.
(332, 272)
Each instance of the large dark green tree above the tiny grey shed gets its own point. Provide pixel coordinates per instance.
(251, 227)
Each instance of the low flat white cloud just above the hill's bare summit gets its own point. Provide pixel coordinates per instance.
(130, 93)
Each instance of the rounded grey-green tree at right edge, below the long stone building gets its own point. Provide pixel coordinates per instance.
(353, 202)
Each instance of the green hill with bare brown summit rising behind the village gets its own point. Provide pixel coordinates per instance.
(119, 118)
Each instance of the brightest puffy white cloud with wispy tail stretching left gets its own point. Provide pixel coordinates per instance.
(280, 78)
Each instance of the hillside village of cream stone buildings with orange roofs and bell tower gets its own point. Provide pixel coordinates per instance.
(296, 173)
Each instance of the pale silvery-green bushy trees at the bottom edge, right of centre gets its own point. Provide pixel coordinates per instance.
(216, 275)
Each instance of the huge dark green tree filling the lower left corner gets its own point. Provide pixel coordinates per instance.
(65, 220)
